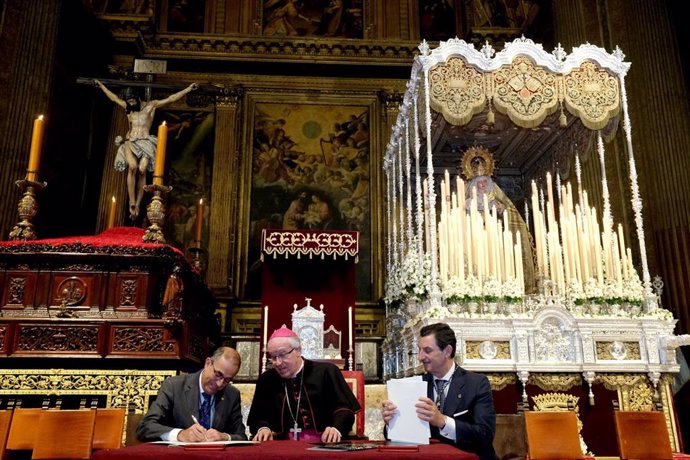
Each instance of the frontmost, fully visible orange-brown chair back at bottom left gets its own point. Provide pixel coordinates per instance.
(64, 434)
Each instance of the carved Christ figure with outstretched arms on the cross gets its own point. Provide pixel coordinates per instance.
(136, 152)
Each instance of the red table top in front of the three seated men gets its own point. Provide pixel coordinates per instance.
(278, 450)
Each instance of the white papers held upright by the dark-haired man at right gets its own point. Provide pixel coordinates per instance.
(405, 426)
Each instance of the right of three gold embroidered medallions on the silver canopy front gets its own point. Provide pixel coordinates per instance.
(592, 94)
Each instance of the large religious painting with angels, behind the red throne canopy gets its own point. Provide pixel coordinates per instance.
(310, 168)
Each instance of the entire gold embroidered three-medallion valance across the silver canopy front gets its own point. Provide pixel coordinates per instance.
(525, 92)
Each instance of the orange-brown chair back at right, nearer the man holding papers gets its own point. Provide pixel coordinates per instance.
(553, 435)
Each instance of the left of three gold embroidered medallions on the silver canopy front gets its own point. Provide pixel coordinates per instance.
(457, 91)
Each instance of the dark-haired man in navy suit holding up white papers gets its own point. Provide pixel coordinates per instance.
(458, 405)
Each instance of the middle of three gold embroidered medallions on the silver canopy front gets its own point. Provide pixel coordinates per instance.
(525, 92)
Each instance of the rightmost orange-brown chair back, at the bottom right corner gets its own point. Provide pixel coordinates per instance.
(642, 435)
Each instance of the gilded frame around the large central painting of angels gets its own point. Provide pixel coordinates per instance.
(323, 103)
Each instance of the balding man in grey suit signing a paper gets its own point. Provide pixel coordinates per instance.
(198, 407)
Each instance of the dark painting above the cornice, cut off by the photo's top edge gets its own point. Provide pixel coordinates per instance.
(313, 18)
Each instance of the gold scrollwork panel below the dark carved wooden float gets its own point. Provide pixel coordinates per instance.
(128, 388)
